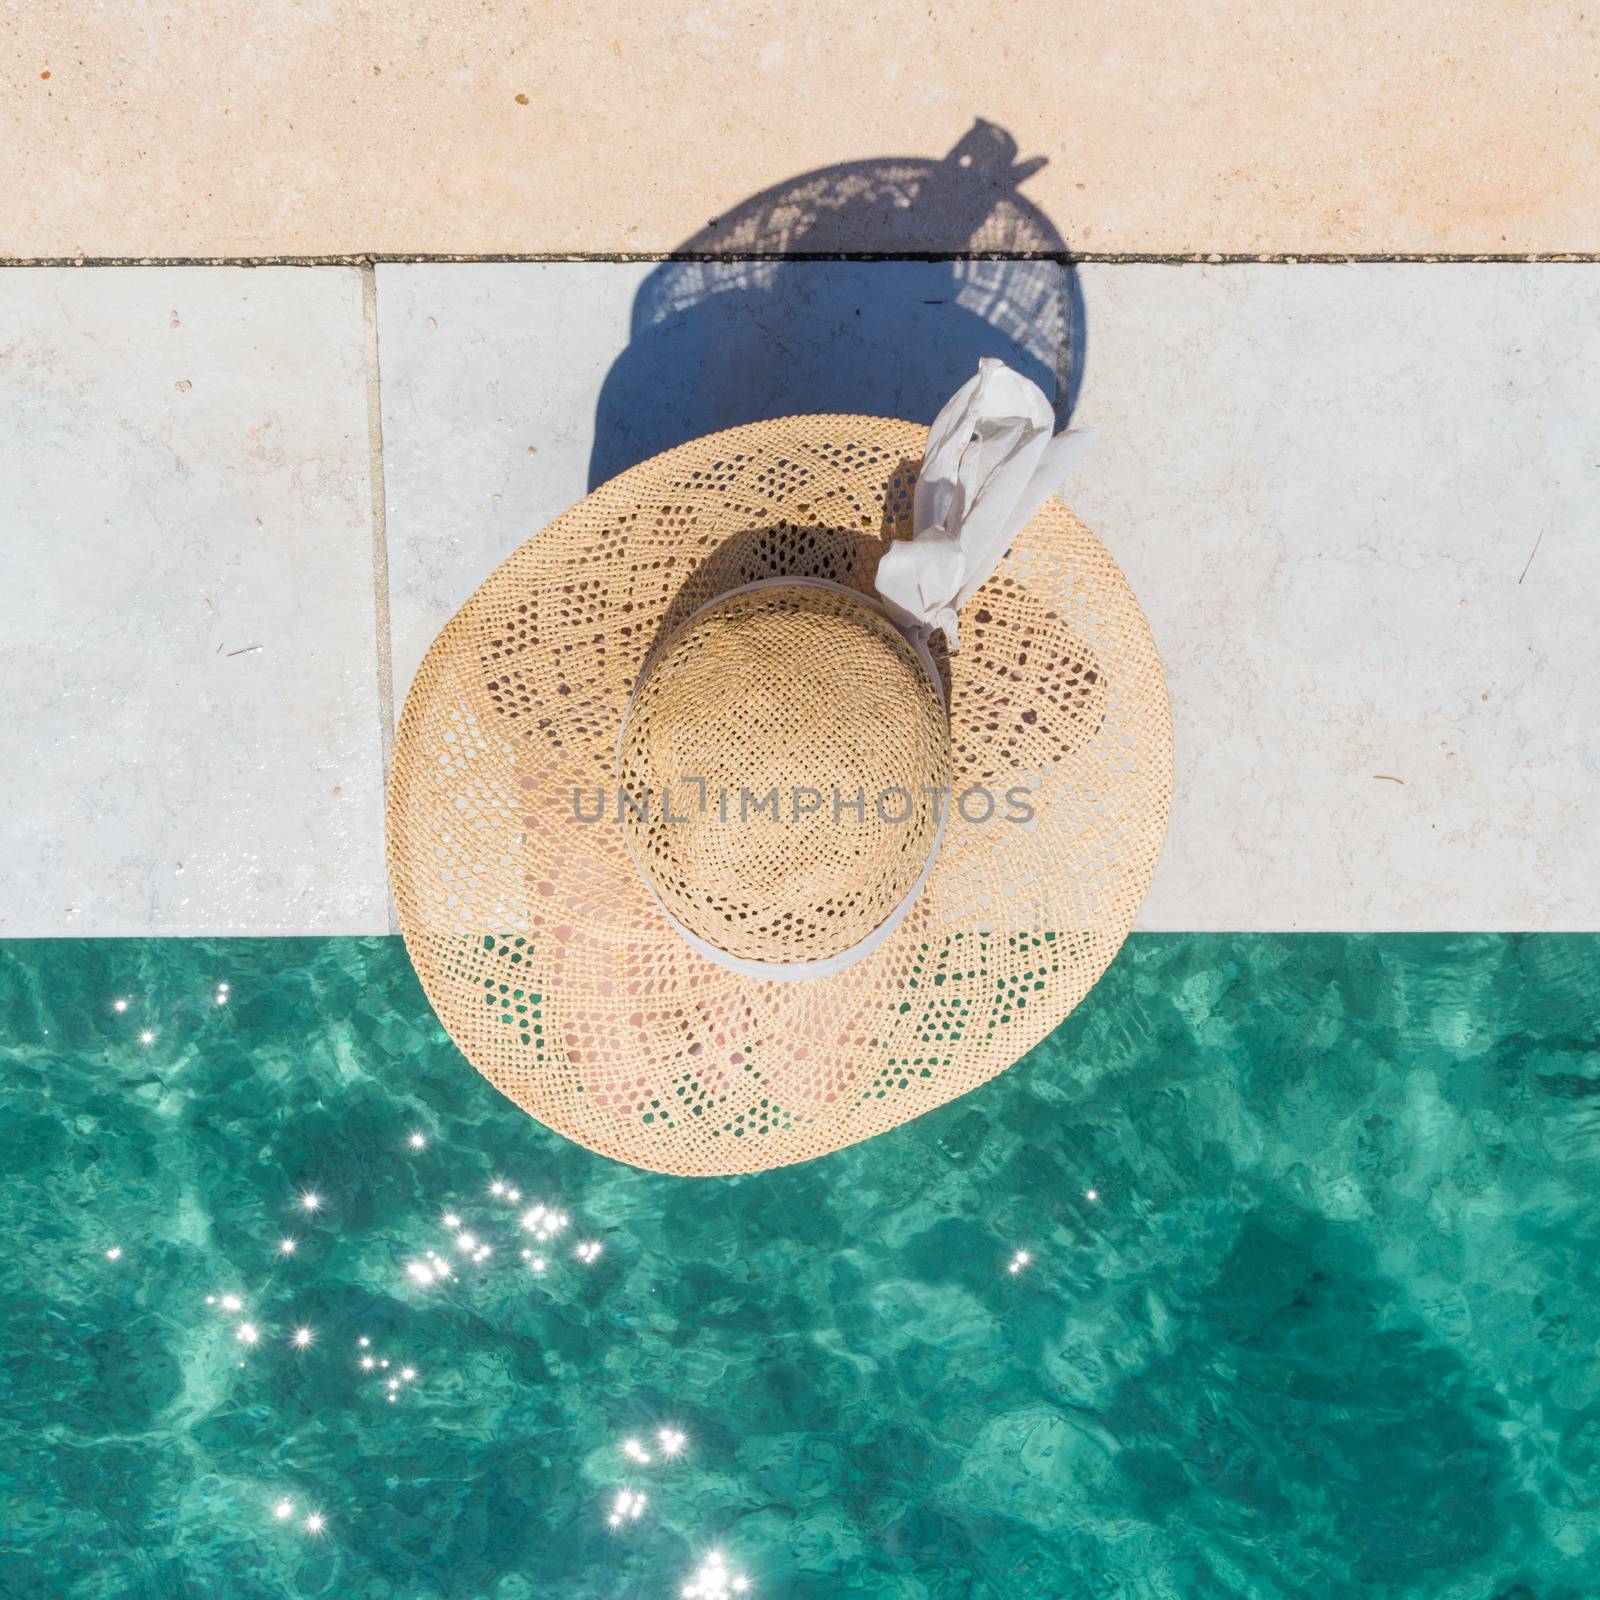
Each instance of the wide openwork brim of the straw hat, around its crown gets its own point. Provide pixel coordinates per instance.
(540, 945)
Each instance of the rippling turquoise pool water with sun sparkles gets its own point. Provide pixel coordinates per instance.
(1330, 1326)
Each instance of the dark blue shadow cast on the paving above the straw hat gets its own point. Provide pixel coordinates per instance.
(772, 311)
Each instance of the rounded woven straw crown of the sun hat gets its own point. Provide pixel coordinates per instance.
(817, 703)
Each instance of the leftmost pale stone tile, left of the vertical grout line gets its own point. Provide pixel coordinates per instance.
(193, 735)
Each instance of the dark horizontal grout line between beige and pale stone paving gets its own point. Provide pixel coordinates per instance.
(1204, 258)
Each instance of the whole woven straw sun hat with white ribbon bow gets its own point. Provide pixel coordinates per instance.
(791, 785)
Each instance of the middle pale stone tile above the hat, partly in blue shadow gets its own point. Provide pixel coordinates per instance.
(511, 390)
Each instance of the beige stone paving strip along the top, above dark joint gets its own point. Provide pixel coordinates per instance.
(246, 129)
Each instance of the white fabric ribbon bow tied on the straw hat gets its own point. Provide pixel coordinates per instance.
(991, 463)
